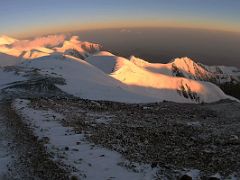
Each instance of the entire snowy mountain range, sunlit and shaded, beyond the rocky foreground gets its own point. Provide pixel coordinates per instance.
(99, 75)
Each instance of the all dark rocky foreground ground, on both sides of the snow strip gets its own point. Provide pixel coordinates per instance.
(175, 141)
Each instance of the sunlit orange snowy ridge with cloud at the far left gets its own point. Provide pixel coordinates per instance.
(39, 47)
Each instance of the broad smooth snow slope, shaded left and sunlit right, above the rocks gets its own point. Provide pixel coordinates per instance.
(128, 83)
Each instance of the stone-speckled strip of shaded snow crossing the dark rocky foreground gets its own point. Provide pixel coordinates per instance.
(91, 162)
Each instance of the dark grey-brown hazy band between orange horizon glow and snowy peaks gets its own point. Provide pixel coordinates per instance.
(164, 44)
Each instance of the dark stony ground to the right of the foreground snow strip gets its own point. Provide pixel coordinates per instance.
(167, 135)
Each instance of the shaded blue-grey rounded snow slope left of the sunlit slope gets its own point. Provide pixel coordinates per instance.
(85, 80)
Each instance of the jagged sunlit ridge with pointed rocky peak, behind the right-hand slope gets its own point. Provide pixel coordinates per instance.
(186, 67)
